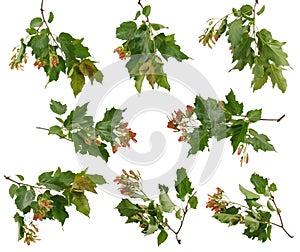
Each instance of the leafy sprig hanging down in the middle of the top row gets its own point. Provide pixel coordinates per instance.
(141, 46)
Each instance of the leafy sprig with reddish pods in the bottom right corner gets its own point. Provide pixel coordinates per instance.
(255, 215)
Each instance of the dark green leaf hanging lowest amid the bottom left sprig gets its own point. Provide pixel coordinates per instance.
(59, 208)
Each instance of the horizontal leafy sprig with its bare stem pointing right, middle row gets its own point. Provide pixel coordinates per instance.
(210, 118)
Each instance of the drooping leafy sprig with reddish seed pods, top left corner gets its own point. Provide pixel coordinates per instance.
(56, 54)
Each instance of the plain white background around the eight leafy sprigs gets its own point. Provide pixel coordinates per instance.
(25, 105)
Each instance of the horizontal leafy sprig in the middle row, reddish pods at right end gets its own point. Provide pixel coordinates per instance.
(88, 137)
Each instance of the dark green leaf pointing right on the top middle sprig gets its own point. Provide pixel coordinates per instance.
(168, 48)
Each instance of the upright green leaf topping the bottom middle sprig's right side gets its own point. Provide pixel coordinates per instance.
(183, 185)
